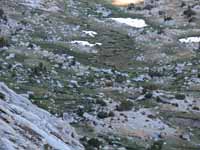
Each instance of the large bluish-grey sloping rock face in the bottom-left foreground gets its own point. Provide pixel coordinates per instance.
(25, 126)
